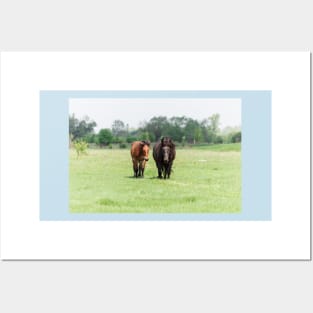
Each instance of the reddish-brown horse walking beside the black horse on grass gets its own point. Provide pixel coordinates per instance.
(140, 155)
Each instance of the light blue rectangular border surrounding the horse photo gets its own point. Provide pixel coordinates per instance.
(256, 156)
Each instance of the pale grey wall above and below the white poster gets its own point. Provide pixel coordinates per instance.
(36, 286)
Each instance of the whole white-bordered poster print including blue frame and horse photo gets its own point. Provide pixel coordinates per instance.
(145, 162)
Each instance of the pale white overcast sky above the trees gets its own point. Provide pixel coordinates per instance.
(134, 111)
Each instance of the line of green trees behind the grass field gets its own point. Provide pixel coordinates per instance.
(181, 129)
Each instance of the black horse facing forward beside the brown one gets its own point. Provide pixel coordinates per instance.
(164, 154)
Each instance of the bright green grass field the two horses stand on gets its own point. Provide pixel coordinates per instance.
(205, 179)
